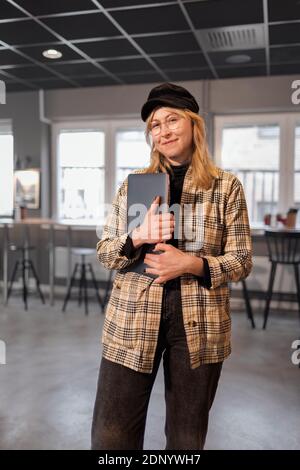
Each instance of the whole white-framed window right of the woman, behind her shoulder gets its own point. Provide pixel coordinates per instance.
(258, 149)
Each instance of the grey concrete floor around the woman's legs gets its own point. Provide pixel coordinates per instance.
(47, 387)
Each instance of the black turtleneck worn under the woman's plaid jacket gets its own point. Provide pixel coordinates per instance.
(176, 185)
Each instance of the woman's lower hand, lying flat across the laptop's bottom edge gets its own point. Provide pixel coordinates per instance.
(172, 263)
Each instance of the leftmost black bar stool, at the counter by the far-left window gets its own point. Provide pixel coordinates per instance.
(26, 266)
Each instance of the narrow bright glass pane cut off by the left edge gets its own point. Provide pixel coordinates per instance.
(6, 175)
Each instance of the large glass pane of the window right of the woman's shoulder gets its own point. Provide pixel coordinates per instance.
(252, 153)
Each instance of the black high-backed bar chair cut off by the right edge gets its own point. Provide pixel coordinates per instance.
(283, 248)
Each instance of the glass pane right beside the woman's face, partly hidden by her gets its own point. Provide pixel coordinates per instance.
(133, 152)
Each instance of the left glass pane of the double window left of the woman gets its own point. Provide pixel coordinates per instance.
(81, 176)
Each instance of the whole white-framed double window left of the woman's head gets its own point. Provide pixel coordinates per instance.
(92, 159)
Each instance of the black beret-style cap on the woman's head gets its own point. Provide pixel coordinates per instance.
(171, 96)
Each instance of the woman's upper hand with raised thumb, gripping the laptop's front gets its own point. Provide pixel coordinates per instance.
(155, 227)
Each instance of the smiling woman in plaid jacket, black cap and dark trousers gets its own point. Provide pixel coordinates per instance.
(183, 314)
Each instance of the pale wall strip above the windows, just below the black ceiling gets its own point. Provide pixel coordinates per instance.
(258, 94)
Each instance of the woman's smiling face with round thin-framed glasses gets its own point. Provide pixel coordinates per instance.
(172, 135)
